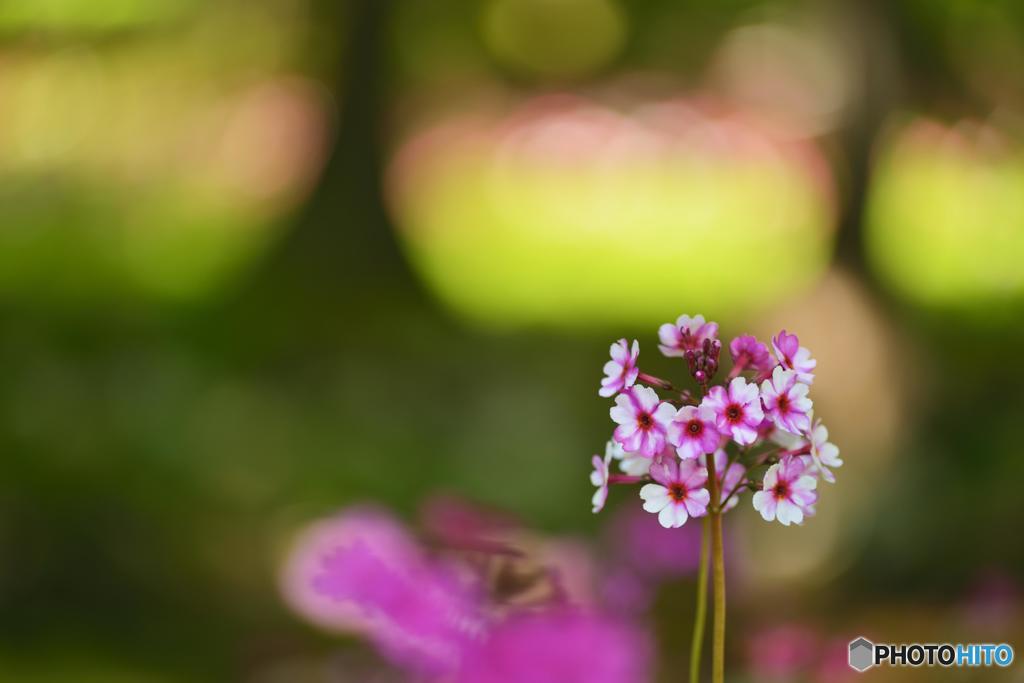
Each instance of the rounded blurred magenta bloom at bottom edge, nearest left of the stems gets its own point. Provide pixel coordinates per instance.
(560, 648)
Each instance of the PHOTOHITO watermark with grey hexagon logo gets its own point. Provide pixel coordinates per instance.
(865, 655)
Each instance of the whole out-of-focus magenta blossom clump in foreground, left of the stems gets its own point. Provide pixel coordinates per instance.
(362, 572)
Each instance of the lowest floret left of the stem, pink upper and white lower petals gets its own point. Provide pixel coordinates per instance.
(679, 493)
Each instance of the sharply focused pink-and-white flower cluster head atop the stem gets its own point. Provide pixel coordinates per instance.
(757, 425)
